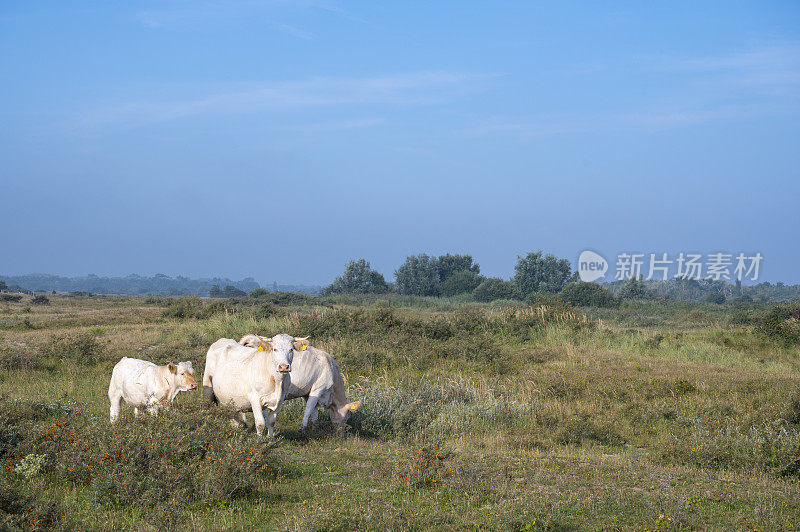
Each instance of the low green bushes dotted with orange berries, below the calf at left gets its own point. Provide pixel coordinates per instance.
(157, 464)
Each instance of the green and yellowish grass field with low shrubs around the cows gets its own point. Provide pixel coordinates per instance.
(653, 416)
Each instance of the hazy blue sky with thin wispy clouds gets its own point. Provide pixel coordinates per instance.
(280, 139)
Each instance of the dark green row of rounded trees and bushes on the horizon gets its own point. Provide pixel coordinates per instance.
(537, 274)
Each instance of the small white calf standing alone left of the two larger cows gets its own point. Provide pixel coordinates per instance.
(142, 383)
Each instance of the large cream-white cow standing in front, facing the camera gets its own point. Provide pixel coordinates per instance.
(251, 378)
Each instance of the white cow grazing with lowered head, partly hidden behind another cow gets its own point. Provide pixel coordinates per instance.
(317, 379)
